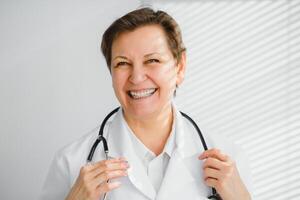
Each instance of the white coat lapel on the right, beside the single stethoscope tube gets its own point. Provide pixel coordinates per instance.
(183, 178)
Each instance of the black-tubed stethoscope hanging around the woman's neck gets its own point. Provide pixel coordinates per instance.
(100, 138)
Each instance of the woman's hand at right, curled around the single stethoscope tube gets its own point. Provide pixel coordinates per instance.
(221, 173)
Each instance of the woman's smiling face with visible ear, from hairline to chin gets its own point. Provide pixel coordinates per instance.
(144, 72)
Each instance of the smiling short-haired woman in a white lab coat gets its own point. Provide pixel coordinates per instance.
(156, 153)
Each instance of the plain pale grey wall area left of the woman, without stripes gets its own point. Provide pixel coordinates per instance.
(53, 81)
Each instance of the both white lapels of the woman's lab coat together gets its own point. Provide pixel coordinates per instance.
(183, 169)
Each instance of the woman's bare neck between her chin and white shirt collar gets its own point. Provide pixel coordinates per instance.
(154, 131)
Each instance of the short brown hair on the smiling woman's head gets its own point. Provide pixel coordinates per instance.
(139, 18)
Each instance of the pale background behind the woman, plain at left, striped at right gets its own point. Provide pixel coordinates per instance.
(243, 81)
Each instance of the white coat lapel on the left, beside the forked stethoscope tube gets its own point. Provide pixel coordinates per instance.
(120, 145)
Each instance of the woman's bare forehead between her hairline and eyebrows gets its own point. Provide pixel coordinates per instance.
(143, 40)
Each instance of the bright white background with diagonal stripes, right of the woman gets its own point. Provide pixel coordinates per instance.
(243, 81)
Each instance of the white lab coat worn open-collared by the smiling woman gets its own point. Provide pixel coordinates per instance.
(183, 177)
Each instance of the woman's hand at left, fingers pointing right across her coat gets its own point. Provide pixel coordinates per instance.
(92, 181)
